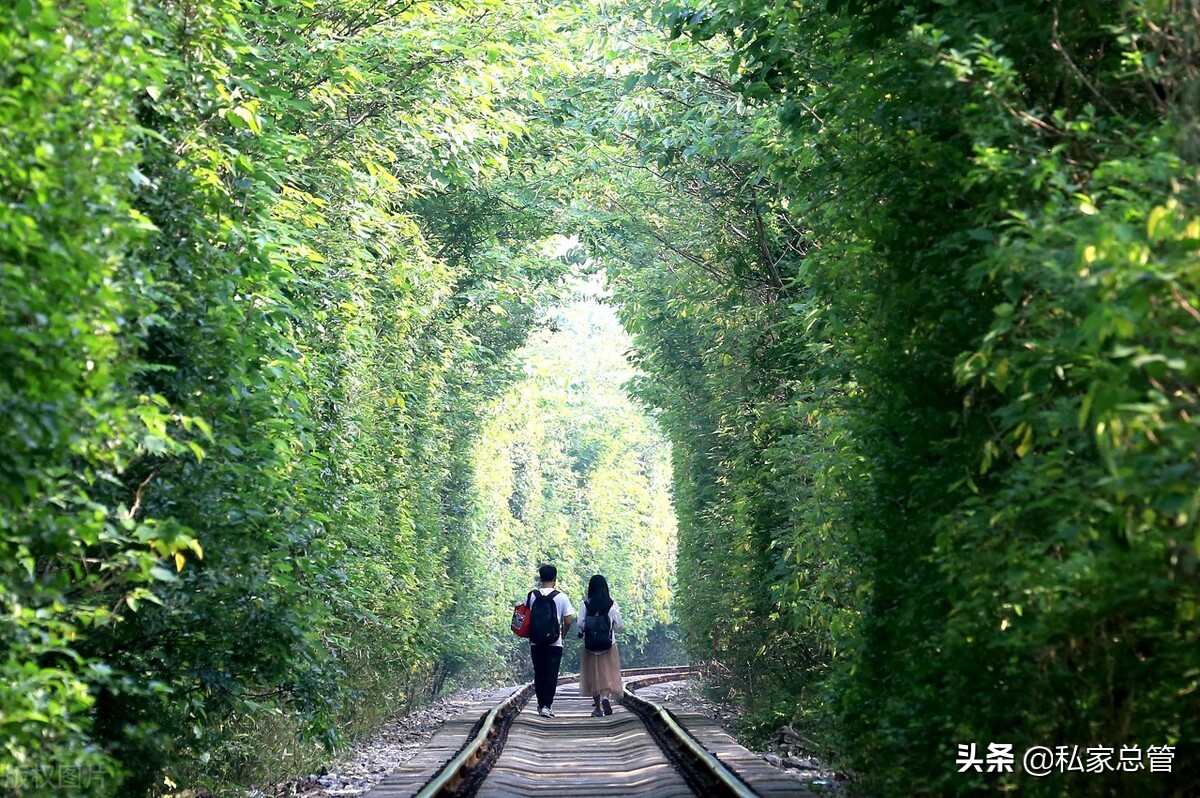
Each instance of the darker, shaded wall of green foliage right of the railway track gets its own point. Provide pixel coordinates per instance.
(926, 345)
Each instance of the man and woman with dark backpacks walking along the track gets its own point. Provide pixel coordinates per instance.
(599, 625)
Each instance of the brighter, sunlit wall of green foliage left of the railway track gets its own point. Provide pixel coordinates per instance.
(243, 356)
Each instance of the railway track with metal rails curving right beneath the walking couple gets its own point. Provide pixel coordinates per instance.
(500, 751)
